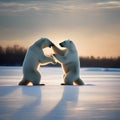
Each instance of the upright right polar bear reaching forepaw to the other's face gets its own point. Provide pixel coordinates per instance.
(69, 60)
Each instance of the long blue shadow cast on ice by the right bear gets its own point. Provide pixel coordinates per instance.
(65, 107)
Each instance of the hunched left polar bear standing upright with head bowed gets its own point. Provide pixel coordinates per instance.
(33, 59)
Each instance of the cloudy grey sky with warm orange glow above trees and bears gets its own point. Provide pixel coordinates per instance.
(93, 25)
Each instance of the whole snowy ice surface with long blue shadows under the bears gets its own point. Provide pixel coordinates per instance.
(99, 99)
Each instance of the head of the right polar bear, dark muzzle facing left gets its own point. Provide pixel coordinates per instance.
(68, 44)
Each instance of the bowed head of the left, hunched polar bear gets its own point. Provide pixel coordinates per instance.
(43, 43)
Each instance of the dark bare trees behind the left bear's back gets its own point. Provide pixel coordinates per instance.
(12, 55)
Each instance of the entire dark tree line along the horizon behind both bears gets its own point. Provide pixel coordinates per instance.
(14, 56)
